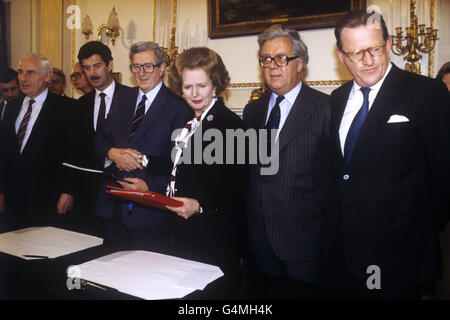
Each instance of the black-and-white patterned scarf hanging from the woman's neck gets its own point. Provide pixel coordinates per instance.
(180, 143)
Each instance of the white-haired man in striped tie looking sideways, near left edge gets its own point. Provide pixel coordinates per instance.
(36, 129)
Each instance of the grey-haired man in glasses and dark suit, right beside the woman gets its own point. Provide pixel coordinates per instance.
(286, 210)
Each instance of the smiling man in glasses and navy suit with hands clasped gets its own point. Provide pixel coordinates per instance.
(142, 120)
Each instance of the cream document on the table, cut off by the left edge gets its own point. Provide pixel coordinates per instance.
(45, 242)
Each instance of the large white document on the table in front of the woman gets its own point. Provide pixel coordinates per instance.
(148, 275)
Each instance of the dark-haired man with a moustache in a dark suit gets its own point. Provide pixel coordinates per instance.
(92, 110)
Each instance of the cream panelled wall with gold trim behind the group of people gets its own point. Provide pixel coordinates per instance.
(136, 20)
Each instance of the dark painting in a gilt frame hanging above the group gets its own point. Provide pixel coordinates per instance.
(229, 18)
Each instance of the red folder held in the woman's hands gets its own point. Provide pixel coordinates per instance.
(147, 198)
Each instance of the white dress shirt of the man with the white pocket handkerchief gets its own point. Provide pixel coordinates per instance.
(354, 103)
